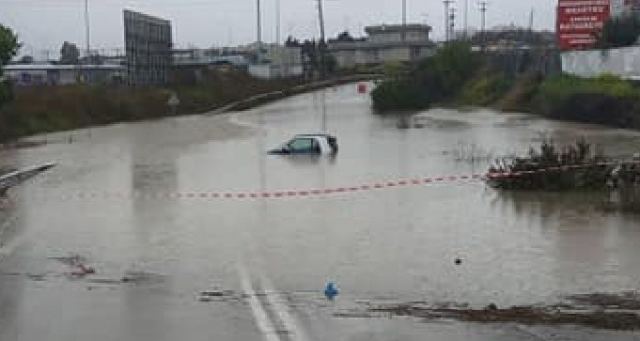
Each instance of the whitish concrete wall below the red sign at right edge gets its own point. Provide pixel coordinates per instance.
(623, 62)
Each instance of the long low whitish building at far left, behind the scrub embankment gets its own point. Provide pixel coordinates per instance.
(49, 74)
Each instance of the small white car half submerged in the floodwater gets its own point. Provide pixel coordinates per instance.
(309, 144)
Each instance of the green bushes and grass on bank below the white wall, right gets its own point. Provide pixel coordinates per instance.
(457, 76)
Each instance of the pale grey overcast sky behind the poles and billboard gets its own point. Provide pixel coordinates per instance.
(45, 24)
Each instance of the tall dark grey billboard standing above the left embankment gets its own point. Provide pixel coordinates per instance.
(148, 44)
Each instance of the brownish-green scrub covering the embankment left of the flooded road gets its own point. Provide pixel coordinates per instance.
(54, 108)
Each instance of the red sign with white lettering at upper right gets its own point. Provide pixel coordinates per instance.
(579, 22)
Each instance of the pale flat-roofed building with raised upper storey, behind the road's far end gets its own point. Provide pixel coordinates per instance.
(384, 43)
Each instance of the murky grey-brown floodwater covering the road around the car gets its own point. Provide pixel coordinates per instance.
(113, 200)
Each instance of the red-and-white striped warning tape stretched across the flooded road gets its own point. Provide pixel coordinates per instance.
(308, 193)
